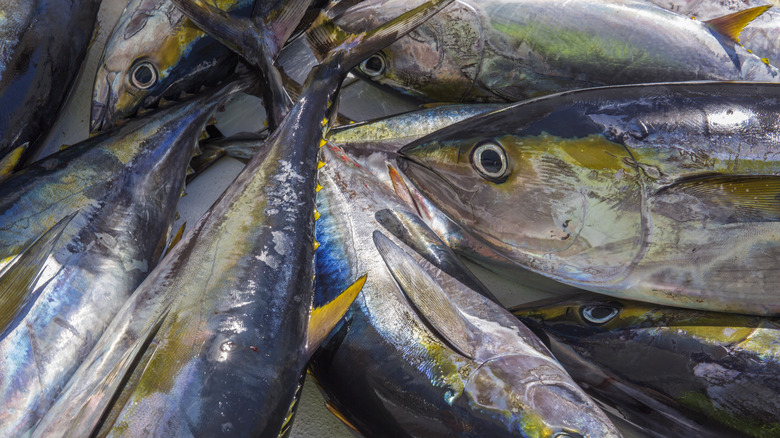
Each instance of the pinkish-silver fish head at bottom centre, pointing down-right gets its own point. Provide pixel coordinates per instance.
(543, 402)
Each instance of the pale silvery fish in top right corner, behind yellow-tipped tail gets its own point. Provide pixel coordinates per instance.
(760, 36)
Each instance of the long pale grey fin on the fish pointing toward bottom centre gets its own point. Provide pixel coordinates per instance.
(426, 296)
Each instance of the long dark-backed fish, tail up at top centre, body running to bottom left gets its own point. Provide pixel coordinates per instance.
(220, 343)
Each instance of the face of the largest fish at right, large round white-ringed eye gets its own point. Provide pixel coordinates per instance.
(517, 193)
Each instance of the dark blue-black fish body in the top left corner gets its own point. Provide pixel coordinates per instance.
(42, 45)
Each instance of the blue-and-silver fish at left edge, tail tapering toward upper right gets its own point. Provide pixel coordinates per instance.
(124, 186)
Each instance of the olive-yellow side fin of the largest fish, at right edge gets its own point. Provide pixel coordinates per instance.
(729, 198)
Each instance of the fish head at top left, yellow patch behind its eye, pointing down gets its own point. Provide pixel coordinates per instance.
(152, 37)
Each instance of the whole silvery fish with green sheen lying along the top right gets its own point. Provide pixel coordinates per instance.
(499, 50)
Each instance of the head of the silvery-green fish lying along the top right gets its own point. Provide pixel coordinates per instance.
(439, 60)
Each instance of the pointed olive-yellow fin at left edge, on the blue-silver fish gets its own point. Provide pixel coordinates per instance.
(18, 278)
